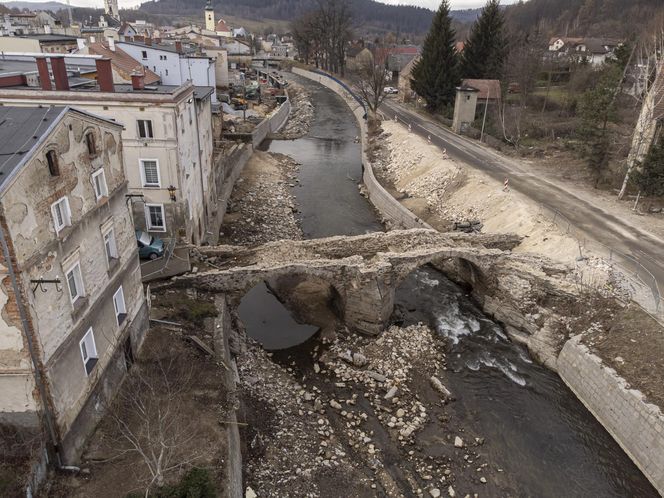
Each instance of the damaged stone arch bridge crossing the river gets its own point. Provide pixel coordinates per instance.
(364, 271)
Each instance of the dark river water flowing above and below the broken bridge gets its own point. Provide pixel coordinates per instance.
(535, 428)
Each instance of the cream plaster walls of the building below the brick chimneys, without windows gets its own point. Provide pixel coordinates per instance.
(182, 146)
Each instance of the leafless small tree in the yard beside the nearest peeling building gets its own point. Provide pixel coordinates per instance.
(149, 421)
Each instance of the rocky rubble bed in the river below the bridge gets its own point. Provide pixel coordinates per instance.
(355, 408)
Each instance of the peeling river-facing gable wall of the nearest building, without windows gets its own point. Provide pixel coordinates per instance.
(41, 253)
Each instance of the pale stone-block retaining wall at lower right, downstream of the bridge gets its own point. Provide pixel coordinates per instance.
(636, 425)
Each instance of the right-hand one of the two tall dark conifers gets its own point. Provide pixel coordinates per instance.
(486, 49)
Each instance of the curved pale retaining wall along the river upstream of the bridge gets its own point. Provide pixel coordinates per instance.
(383, 201)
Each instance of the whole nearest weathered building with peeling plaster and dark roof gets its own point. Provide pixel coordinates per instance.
(73, 309)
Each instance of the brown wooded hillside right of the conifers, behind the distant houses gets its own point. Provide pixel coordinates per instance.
(609, 18)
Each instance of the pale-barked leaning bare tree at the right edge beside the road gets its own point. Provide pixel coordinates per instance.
(648, 89)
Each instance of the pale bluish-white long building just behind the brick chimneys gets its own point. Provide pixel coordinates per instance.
(174, 64)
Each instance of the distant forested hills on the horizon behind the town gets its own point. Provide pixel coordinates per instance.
(396, 18)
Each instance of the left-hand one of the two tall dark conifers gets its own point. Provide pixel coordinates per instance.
(436, 74)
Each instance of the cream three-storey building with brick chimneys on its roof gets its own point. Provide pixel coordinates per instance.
(167, 136)
